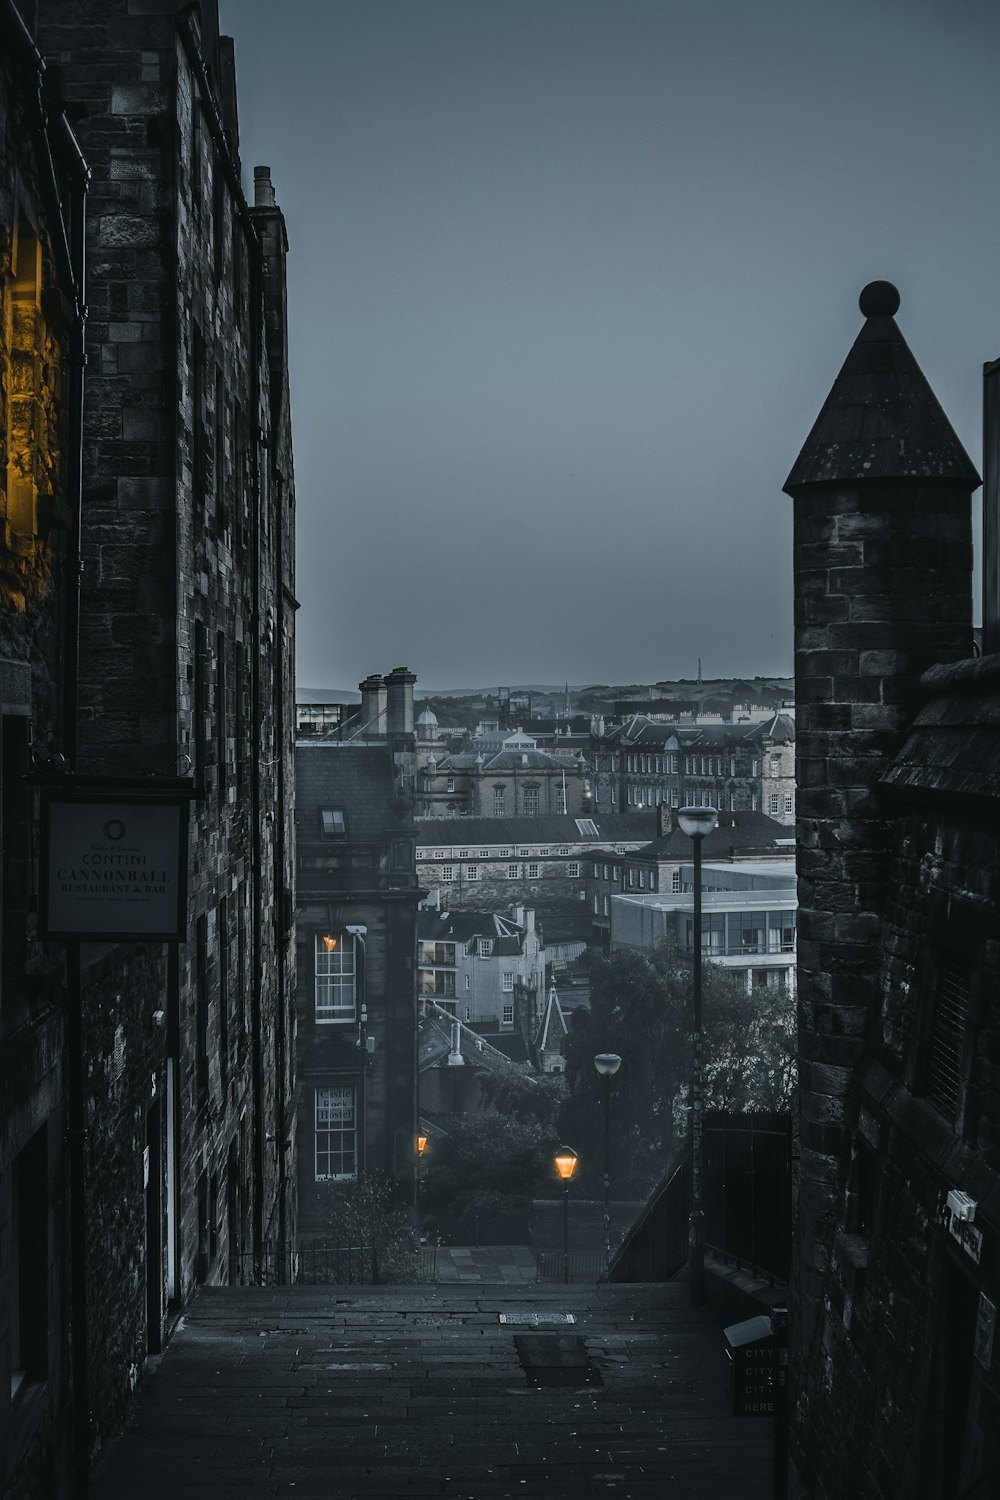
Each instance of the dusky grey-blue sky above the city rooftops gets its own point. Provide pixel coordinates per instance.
(570, 281)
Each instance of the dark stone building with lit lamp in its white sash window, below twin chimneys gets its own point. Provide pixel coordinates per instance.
(356, 931)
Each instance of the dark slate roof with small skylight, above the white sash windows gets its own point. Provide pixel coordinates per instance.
(361, 779)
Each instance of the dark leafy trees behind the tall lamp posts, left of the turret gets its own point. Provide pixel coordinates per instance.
(642, 1009)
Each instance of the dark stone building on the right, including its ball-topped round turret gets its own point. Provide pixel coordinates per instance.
(896, 1378)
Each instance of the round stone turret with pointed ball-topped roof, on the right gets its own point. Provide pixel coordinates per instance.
(882, 592)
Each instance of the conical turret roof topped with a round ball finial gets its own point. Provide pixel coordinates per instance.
(881, 421)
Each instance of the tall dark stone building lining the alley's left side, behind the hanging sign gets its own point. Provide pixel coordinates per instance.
(178, 664)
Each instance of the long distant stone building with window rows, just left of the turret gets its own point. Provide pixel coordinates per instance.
(744, 767)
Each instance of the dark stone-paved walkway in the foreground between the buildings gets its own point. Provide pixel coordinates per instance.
(421, 1391)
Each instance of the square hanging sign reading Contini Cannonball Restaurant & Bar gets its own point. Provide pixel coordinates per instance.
(115, 868)
